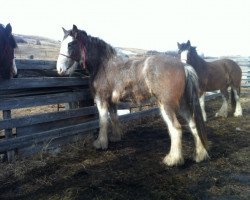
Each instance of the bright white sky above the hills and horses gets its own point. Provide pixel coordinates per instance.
(215, 27)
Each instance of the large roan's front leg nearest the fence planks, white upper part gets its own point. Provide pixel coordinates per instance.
(102, 141)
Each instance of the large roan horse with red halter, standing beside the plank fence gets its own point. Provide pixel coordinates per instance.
(174, 87)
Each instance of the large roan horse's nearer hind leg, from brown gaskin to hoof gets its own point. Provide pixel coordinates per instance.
(174, 128)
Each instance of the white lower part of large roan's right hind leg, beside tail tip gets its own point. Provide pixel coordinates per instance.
(200, 151)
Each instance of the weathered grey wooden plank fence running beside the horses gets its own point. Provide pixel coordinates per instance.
(25, 135)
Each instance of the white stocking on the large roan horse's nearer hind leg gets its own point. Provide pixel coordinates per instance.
(175, 155)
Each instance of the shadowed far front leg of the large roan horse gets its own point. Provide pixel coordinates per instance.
(116, 134)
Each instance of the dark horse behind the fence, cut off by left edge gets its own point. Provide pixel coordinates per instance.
(7, 45)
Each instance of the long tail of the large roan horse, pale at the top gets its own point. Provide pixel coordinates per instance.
(191, 90)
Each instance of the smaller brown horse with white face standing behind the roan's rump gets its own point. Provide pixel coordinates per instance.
(216, 75)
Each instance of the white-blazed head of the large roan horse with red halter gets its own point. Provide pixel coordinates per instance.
(72, 51)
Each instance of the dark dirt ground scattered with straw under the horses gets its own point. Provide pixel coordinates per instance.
(133, 168)
